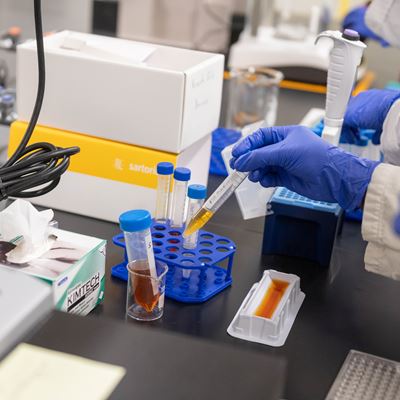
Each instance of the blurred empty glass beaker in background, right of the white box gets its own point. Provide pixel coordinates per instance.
(253, 96)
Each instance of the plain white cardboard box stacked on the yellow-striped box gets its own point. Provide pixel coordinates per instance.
(148, 95)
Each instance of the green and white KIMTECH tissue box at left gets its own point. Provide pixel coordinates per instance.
(74, 269)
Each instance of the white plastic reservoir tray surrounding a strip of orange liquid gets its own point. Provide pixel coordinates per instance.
(271, 331)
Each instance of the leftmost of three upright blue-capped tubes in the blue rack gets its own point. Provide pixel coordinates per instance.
(164, 173)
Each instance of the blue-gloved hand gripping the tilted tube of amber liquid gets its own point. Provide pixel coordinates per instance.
(295, 157)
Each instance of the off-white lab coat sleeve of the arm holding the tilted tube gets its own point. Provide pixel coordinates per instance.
(378, 226)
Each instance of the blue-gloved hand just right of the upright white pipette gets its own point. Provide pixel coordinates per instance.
(367, 110)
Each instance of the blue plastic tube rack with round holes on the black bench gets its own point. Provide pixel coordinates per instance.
(210, 263)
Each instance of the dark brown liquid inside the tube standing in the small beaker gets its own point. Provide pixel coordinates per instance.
(145, 290)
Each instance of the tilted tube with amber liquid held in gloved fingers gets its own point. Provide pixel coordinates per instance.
(215, 201)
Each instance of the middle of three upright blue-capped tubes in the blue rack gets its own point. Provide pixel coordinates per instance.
(181, 178)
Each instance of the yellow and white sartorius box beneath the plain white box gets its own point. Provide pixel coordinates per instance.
(107, 178)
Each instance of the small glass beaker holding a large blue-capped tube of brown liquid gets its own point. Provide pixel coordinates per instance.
(145, 294)
